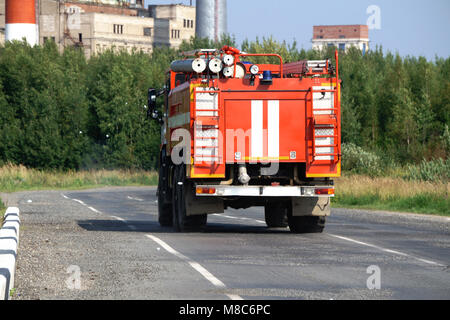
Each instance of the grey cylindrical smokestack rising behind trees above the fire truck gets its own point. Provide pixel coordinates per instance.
(211, 16)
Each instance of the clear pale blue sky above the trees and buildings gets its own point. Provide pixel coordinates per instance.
(409, 27)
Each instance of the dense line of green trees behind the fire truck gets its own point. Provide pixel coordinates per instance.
(62, 111)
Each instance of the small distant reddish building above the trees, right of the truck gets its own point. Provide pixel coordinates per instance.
(341, 36)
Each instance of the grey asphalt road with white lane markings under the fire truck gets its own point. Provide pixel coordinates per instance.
(107, 244)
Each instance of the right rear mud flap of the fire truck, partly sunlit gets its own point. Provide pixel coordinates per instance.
(318, 207)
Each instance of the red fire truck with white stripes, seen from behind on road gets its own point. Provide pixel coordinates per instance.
(237, 134)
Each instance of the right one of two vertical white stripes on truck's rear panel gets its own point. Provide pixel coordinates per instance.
(273, 128)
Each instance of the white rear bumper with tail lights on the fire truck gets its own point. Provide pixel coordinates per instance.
(265, 191)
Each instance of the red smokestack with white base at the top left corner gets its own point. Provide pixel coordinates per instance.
(20, 20)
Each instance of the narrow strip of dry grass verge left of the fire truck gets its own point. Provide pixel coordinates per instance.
(19, 178)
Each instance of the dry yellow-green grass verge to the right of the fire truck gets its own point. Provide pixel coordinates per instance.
(392, 194)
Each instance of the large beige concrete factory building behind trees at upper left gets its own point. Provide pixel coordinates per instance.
(99, 25)
